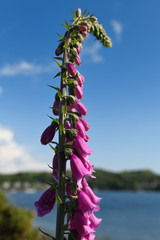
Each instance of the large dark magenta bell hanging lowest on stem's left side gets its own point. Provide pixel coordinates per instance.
(46, 202)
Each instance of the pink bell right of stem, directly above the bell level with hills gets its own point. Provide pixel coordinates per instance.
(81, 147)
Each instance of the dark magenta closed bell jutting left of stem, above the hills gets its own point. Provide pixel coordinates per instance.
(48, 135)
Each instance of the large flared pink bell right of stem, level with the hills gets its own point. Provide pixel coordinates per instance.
(78, 169)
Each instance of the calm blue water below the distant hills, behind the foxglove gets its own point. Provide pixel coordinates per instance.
(126, 215)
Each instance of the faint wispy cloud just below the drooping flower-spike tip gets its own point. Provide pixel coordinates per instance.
(91, 52)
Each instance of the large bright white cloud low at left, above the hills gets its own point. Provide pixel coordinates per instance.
(15, 157)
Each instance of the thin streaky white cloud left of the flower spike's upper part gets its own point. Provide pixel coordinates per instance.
(25, 68)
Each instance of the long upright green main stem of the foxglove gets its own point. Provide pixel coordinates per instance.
(61, 155)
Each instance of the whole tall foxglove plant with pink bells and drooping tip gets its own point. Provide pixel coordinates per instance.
(76, 202)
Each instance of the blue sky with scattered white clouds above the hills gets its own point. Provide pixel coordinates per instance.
(121, 90)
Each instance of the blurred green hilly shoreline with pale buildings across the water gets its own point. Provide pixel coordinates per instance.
(143, 180)
